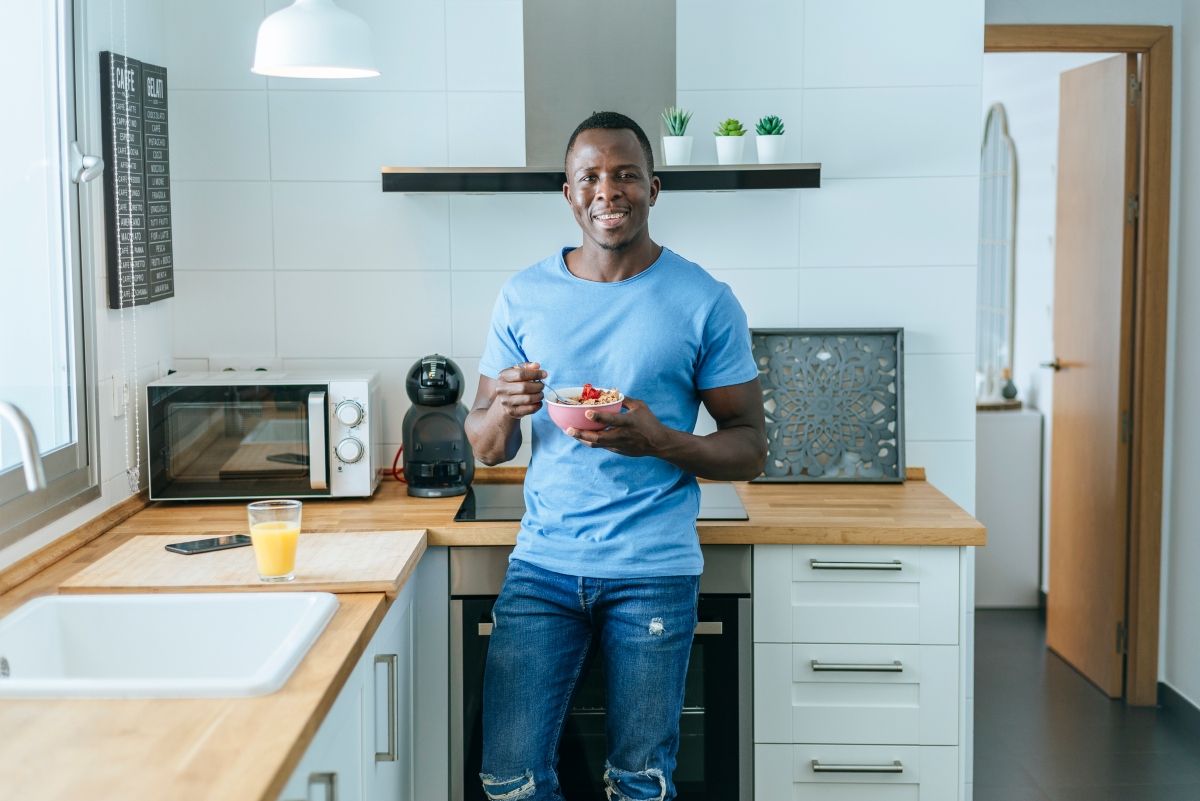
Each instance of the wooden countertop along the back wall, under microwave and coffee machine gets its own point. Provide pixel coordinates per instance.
(913, 514)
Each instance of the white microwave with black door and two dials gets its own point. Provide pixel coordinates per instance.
(257, 435)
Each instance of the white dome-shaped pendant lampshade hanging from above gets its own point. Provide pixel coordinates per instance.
(314, 39)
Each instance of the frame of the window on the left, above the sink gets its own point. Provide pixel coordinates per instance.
(73, 472)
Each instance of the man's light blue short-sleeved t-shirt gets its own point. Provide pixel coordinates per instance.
(661, 338)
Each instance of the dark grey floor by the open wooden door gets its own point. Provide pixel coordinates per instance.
(1043, 733)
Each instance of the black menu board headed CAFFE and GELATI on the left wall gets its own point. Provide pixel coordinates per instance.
(137, 182)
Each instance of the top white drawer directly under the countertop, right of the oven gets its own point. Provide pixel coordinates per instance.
(857, 594)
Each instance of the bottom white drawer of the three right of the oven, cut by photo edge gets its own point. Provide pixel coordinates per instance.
(788, 773)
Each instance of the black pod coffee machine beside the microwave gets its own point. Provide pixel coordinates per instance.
(439, 461)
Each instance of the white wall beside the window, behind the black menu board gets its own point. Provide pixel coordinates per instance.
(136, 29)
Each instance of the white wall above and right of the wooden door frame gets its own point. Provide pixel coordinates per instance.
(1179, 652)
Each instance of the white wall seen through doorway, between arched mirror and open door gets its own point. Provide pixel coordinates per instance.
(1028, 86)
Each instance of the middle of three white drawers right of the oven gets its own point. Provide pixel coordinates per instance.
(857, 694)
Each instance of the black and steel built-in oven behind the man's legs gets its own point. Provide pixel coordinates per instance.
(716, 745)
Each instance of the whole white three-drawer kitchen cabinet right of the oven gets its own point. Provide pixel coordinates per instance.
(859, 665)
